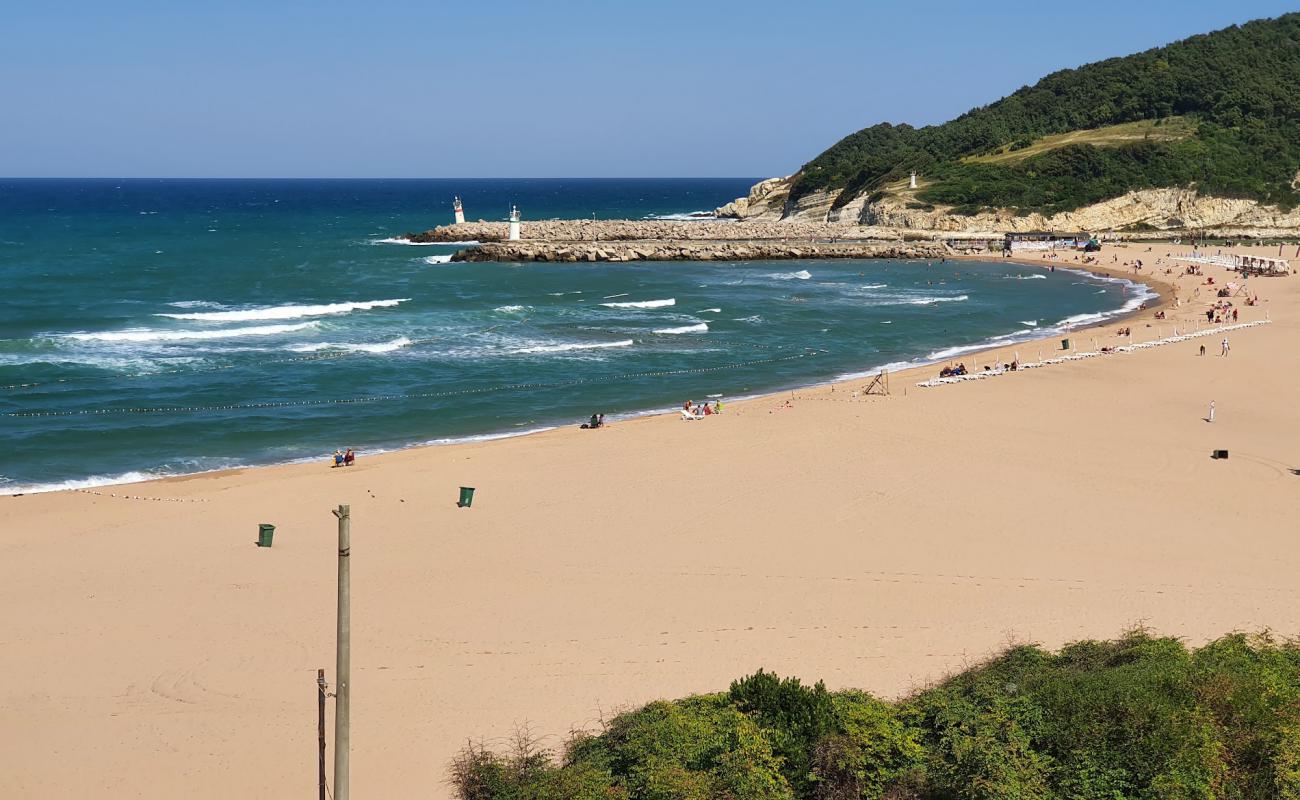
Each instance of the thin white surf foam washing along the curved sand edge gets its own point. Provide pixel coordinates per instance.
(1163, 291)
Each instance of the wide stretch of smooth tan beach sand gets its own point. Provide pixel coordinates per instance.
(149, 650)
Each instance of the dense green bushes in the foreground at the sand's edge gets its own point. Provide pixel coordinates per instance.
(1141, 719)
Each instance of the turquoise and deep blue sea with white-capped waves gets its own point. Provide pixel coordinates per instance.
(170, 327)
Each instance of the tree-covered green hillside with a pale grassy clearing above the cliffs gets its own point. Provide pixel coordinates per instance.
(1220, 113)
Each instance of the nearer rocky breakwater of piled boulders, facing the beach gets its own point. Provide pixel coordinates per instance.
(697, 252)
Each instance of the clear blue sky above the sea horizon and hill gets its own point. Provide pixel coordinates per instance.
(517, 89)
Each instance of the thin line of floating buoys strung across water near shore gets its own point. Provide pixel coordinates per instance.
(378, 399)
